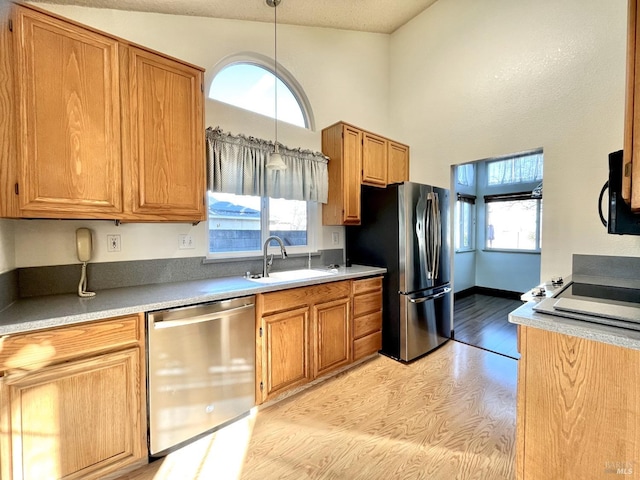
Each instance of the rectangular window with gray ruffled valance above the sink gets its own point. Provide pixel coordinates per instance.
(248, 202)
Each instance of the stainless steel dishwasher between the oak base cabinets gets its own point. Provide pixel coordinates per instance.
(201, 369)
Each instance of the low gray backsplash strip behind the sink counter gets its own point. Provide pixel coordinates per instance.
(51, 280)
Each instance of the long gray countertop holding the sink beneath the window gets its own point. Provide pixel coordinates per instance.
(37, 313)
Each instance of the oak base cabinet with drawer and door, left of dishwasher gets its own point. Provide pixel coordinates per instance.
(73, 401)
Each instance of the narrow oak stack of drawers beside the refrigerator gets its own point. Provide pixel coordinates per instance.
(367, 316)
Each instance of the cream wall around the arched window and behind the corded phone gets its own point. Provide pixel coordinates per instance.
(343, 73)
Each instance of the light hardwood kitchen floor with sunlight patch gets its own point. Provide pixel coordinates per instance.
(449, 415)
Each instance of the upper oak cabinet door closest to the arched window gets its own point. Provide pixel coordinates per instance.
(164, 144)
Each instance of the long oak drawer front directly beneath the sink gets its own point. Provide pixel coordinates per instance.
(295, 297)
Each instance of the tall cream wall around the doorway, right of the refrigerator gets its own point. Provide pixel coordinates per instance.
(473, 80)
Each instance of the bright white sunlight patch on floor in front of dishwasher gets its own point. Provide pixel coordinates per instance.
(219, 455)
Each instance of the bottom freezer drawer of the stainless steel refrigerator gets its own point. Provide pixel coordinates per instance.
(425, 321)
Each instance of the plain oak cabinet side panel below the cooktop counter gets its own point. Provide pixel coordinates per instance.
(578, 407)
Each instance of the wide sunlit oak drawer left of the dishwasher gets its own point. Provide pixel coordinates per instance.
(46, 347)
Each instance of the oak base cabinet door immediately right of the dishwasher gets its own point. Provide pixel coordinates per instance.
(285, 351)
